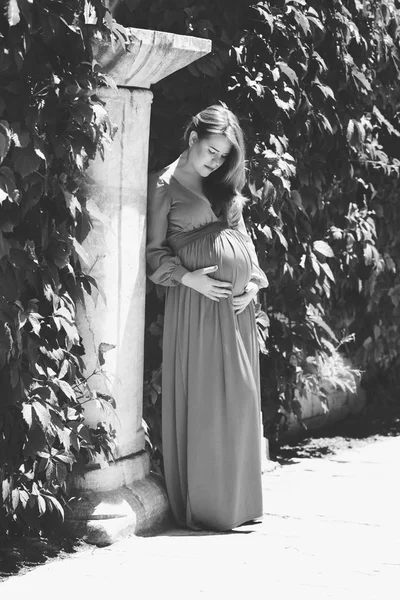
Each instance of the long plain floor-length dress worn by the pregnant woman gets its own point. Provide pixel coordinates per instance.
(210, 374)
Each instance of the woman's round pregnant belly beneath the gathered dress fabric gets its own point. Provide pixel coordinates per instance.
(227, 249)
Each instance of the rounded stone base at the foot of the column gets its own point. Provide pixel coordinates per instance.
(103, 518)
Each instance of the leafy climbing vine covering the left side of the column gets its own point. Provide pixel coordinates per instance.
(52, 123)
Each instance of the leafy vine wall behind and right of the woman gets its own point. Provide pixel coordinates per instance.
(316, 86)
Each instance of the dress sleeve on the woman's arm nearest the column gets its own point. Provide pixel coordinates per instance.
(163, 266)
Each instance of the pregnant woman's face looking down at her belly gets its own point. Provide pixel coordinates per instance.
(208, 154)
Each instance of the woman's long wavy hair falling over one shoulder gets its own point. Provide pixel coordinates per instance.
(223, 187)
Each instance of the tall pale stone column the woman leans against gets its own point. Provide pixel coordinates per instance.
(122, 498)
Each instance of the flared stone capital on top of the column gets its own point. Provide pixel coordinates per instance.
(141, 57)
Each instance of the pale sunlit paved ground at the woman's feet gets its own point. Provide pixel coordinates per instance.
(331, 529)
